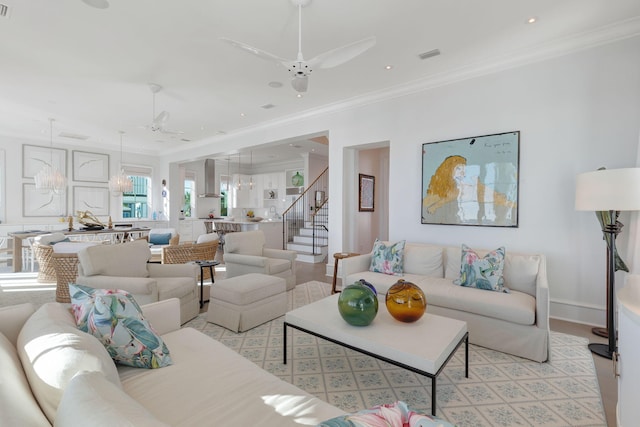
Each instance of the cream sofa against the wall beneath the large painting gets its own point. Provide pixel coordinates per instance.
(516, 323)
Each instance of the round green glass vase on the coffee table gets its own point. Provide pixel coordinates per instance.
(358, 304)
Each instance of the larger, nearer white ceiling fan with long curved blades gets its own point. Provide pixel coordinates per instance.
(301, 69)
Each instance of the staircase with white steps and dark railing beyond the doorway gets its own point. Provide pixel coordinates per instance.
(306, 221)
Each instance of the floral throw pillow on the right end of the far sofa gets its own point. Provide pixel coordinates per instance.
(482, 272)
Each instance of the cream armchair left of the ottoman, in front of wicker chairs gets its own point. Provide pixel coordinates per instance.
(126, 267)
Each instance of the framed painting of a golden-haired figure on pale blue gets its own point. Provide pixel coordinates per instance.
(471, 181)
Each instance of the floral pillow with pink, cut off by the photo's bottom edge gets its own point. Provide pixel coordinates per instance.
(396, 414)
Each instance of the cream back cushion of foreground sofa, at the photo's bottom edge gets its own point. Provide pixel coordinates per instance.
(91, 400)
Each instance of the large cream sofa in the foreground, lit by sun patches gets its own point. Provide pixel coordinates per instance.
(54, 373)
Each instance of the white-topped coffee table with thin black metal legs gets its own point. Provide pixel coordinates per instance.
(423, 347)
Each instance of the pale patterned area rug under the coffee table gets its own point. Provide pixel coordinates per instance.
(501, 390)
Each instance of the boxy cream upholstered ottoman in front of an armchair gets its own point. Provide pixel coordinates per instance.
(244, 302)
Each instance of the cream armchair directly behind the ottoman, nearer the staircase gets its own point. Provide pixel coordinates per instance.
(244, 252)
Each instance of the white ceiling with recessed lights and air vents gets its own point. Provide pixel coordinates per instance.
(89, 68)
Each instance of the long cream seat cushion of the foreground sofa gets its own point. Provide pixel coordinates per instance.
(217, 388)
